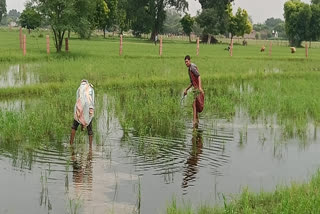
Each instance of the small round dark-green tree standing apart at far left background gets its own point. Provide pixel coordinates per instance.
(30, 18)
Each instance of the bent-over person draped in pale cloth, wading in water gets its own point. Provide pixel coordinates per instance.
(83, 110)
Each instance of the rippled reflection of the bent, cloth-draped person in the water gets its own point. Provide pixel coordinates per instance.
(82, 170)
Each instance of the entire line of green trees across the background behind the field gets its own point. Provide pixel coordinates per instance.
(302, 21)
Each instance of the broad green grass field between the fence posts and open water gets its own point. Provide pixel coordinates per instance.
(146, 88)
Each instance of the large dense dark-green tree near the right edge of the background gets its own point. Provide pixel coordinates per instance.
(297, 21)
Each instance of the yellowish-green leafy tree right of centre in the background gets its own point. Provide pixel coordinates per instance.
(239, 24)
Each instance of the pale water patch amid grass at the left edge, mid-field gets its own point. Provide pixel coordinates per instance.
(17, 75)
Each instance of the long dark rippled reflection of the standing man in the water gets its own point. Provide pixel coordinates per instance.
(191, 168)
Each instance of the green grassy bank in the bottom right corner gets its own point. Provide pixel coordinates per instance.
(296, 198)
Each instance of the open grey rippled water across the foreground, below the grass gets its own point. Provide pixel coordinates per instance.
(221, 157)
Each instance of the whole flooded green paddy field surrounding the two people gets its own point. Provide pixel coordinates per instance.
(261, 111)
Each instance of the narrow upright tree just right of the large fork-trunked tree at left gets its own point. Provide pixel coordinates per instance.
(101, 16)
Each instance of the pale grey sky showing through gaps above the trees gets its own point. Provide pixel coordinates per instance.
(259, 10)
